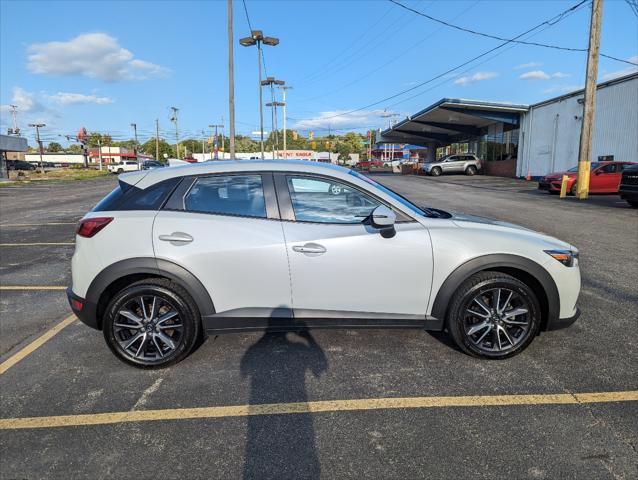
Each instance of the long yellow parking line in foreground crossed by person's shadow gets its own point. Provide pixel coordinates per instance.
(315, 407)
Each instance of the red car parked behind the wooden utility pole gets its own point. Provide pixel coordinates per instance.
(604, 178)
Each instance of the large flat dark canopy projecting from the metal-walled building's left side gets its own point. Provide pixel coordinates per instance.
(450, 120)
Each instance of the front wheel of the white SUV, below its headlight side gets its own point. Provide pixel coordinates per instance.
(513, 333)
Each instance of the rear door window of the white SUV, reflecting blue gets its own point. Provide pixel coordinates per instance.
(227, 195)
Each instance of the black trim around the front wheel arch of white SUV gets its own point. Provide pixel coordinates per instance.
(496, 262)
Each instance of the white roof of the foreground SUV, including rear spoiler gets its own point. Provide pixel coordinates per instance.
(146, 178)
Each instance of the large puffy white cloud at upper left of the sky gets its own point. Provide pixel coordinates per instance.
(94, 55)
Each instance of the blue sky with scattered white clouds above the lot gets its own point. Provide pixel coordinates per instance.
(103, 65)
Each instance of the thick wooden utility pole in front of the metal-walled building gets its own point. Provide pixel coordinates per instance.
(584, 157)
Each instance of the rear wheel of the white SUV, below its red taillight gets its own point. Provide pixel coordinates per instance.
(157, 345)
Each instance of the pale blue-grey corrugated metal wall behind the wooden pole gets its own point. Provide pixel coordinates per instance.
(550, 131)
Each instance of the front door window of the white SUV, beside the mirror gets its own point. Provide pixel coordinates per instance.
(325, 201)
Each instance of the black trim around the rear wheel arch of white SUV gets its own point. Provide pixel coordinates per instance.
(152, 266)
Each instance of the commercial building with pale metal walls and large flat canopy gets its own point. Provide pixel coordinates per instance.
(521, 140)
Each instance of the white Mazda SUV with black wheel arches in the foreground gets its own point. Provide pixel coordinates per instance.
(252, 245)
